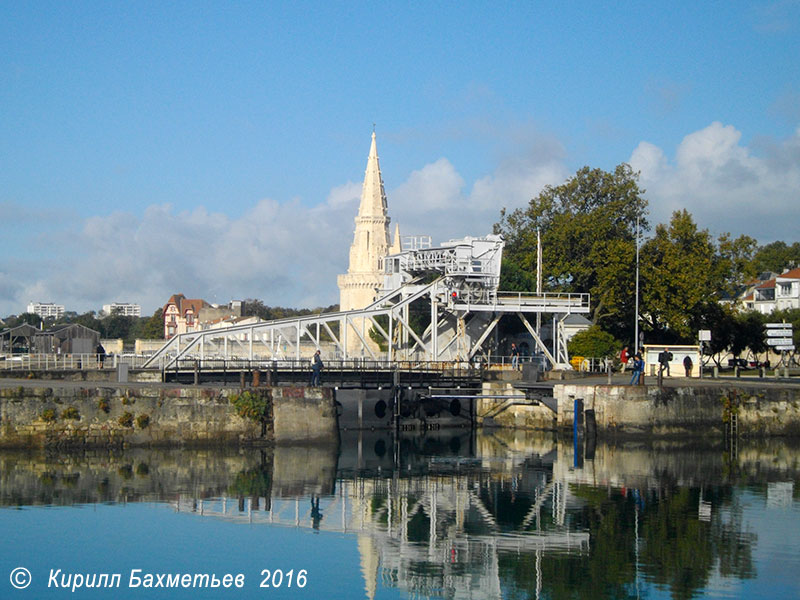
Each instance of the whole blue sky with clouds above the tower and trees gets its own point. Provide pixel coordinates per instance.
(218, 149)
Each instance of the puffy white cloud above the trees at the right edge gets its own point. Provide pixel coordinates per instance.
(725, 185)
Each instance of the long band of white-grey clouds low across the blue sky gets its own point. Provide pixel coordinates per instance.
(287, 253)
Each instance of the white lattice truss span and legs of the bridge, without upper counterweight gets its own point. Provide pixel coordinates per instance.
(448, 337)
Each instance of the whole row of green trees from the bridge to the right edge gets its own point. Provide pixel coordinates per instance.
(589, 226)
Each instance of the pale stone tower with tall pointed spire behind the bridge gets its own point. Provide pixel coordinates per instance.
(358, 286)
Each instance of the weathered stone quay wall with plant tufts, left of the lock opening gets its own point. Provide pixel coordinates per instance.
(36, 415)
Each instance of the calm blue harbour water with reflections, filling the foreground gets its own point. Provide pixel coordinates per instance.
(499, 515)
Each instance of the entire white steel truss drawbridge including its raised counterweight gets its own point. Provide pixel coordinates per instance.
(454, 285)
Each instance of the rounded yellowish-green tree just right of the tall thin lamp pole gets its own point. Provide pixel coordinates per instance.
(678, 278)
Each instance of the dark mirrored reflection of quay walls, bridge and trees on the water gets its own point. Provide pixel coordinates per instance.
(451, 515)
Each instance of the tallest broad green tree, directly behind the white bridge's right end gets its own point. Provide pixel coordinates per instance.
(588, 231)
